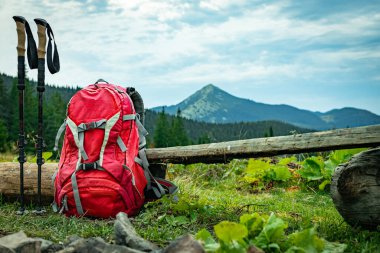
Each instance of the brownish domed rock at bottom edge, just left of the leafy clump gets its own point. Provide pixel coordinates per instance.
(184, 244)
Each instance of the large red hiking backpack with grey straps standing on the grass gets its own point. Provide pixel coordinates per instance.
(103, 169)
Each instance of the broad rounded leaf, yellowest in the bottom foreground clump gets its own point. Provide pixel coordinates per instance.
(228, 232)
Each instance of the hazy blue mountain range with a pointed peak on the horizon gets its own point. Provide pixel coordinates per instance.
(214, 105)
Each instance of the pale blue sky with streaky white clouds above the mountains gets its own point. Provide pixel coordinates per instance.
(314, 55)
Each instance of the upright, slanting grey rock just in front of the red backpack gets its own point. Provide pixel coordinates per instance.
(125, 234)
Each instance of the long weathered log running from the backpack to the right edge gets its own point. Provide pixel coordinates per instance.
(368, 136)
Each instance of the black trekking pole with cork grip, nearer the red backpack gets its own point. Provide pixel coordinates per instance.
(43, 28)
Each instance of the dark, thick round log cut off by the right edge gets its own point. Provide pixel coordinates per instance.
(355, 189)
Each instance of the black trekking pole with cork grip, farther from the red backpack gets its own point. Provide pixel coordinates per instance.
(23, 29)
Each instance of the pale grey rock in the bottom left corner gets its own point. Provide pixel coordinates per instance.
(19, 243)
